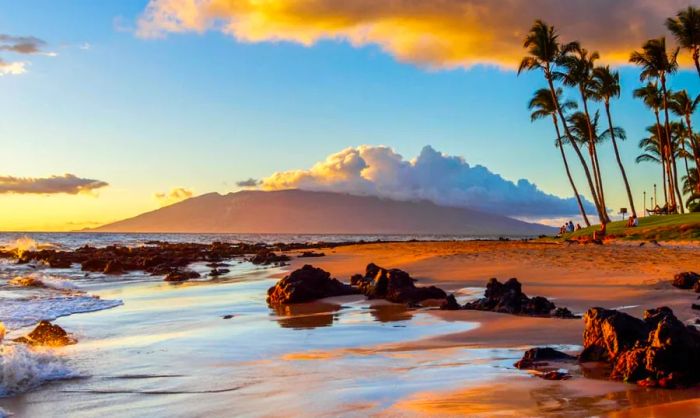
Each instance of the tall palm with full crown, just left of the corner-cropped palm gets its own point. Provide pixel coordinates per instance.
(657, 64)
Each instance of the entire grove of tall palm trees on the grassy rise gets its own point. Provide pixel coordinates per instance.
(578, 123)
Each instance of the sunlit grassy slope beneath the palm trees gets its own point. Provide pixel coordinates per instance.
(660, 227)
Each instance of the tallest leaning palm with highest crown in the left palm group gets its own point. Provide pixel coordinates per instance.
(542, 44)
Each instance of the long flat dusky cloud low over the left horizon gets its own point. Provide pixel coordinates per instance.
(67, 183)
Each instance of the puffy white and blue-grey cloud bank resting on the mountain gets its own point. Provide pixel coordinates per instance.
(443, 179)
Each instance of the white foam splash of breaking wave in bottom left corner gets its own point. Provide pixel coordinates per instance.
(23, 368)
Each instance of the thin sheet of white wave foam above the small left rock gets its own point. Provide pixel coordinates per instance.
(19, 313)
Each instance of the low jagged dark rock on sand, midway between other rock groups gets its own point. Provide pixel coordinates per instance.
(509, 298)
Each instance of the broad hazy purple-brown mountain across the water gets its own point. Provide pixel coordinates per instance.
(305, 212)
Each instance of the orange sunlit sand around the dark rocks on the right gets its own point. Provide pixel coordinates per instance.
(622, 276)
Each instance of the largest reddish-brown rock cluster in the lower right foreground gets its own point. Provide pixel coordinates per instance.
(656, 351)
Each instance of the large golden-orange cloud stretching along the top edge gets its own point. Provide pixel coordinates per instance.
(432, 33)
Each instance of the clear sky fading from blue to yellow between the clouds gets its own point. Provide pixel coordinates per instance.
(202, 111)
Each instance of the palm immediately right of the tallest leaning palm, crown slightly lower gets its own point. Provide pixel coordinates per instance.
(577, 65)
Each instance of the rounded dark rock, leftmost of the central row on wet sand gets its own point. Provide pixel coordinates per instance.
(305, 285)
